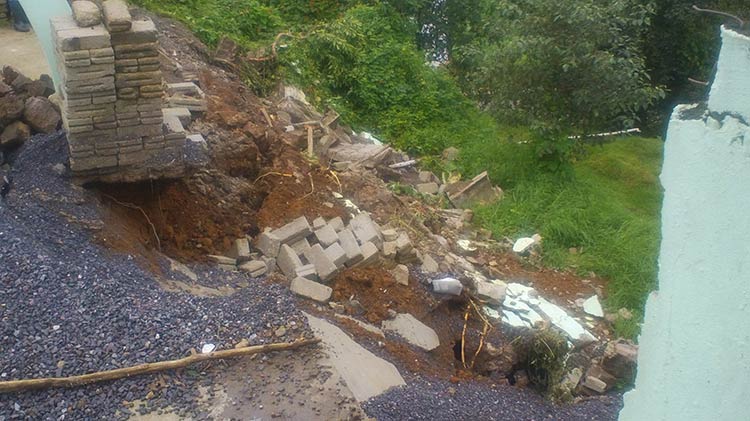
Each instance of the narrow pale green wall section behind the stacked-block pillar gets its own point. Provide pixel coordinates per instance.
(39, 13)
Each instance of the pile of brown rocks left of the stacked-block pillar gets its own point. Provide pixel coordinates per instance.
(25, 108)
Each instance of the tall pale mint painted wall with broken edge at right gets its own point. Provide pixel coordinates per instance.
(694, 357)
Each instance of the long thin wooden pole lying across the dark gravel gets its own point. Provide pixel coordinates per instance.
(73, 381)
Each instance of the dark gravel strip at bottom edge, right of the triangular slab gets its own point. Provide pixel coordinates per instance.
(434, 400)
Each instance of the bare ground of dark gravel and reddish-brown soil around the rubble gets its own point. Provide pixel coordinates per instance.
(87, 285)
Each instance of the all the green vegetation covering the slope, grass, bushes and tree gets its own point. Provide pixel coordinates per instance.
(507, 98)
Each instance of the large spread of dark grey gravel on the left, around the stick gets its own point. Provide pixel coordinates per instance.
(69, 306)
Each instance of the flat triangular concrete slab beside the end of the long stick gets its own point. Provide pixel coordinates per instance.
(365, 374)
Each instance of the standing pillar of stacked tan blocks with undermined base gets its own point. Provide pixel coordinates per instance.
(112, 92)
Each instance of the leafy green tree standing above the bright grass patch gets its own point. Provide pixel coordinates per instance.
(561, 67)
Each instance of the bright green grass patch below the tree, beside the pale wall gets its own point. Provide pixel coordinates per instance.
(608, 210)
